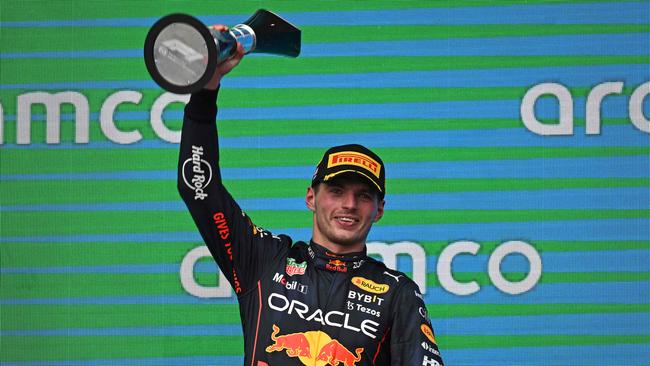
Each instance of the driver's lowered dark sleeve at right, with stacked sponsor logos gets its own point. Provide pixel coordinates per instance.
(412, 339)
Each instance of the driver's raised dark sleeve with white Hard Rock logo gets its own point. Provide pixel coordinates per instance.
(237, 245)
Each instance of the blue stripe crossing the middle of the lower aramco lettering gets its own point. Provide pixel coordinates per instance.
(553, 262)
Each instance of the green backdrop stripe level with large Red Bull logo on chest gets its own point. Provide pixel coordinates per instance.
(73, 348)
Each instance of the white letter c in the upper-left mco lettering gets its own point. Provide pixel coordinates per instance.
(107, 123)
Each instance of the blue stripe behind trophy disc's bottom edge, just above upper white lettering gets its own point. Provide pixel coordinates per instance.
(576, 76)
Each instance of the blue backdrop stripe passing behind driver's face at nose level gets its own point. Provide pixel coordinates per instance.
(558, 199)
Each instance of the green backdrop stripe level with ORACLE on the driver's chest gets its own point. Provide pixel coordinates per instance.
(32, 317)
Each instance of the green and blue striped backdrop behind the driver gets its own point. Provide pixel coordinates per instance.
(93, 234)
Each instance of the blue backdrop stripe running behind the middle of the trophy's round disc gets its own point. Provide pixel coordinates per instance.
(583, 44)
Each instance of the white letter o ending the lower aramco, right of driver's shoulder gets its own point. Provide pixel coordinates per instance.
(533, 276)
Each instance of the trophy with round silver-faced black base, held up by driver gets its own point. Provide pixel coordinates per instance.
(181, 53)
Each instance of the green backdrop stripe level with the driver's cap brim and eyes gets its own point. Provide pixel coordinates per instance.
(104, 191)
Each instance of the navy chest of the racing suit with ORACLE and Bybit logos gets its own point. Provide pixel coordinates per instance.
(323, 313)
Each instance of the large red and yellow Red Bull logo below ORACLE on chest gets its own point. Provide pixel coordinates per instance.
(313, 348)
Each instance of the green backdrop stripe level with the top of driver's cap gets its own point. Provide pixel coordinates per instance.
(21, 161)
